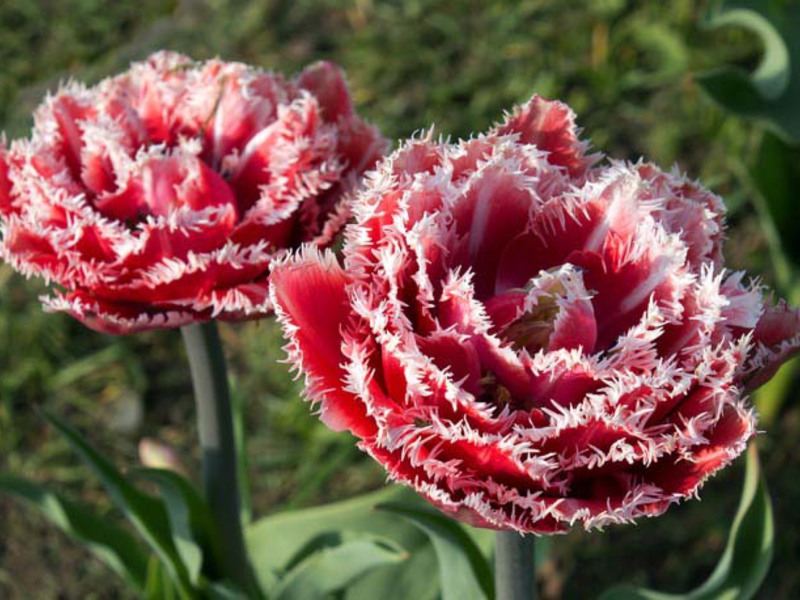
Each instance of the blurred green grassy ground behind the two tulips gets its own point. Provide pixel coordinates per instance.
(628, 68)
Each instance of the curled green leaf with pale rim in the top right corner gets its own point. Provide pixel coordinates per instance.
(771, 92)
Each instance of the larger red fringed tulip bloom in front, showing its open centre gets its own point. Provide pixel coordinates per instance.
(531, 338)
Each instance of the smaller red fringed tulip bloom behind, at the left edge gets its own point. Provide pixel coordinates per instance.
(159, 197)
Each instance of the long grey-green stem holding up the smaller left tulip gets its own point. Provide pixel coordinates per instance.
(219, 464)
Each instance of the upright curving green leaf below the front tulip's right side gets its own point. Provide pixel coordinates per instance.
(747, 556)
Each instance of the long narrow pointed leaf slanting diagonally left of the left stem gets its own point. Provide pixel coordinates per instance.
(147, 514)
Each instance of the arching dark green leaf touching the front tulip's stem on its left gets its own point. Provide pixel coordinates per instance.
(464, 571)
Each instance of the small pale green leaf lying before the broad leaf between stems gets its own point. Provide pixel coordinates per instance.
(331, 569)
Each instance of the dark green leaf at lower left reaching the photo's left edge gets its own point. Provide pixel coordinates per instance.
(106, 540)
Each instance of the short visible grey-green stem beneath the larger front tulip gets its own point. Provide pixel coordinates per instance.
(514, 570)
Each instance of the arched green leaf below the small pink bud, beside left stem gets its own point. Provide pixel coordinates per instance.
(190, 520)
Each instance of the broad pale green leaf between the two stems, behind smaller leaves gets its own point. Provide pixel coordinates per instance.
(273, 542)
